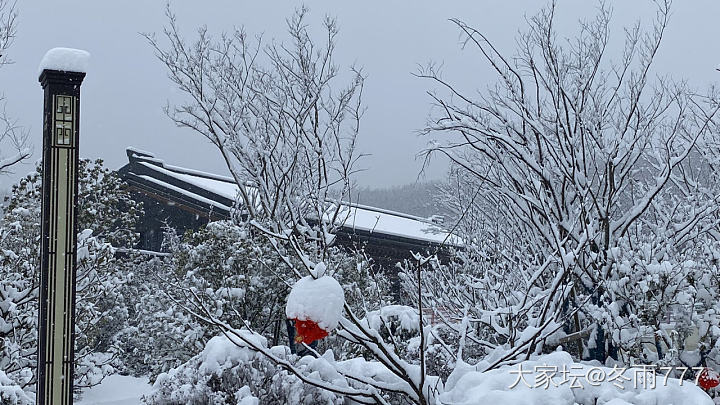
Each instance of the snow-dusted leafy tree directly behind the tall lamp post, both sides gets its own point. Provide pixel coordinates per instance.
(106, 213)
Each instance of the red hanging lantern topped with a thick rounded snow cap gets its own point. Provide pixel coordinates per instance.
(315, 304)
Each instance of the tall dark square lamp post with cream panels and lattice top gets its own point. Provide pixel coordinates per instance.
(58, 265)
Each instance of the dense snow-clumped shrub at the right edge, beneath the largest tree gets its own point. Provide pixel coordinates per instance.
(663, 305)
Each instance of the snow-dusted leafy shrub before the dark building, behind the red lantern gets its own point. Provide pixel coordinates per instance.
(235, 275)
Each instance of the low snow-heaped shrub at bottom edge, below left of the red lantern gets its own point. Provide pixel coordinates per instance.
(228, 373)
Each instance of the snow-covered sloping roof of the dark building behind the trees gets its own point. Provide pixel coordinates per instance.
(355, 217)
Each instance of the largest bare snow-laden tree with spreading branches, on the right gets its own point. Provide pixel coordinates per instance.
(589, 195)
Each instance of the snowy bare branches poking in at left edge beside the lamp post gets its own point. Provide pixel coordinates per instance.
(13, 138)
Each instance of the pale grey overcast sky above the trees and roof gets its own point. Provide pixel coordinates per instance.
(126, 86)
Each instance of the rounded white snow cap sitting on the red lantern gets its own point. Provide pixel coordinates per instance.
(319, 300)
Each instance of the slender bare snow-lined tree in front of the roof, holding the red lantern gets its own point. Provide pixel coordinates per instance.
(286, 125)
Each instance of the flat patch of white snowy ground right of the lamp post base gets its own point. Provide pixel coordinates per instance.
(116, 390)
